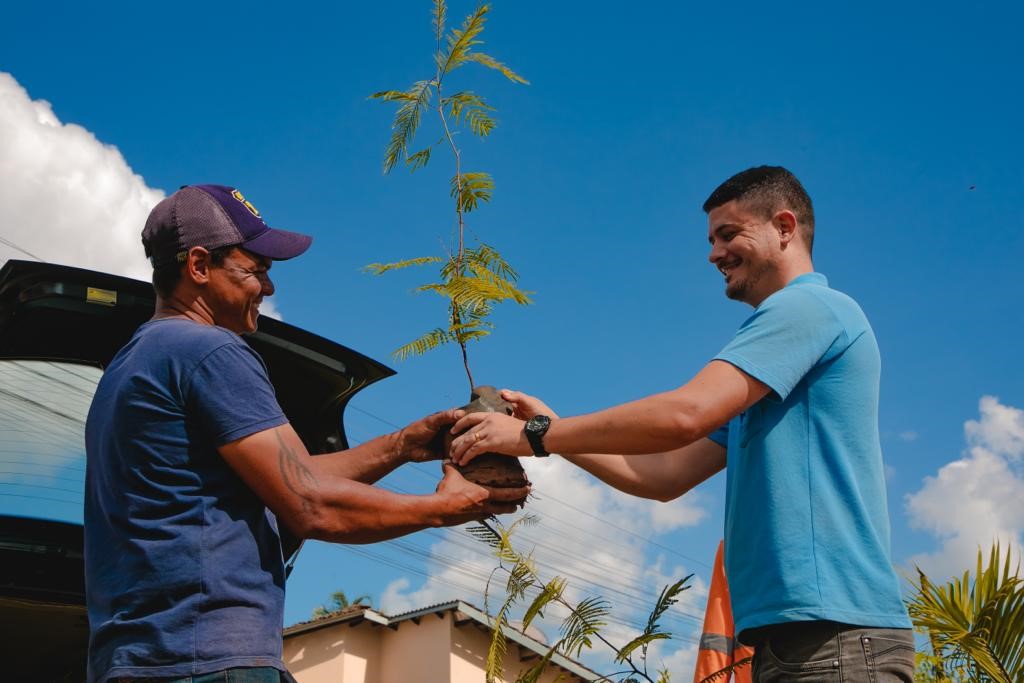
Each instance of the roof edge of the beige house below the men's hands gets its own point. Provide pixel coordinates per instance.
(462, 612)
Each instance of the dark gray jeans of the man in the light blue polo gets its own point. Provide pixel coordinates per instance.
(814, 652)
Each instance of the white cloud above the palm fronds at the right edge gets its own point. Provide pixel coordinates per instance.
(978, 499)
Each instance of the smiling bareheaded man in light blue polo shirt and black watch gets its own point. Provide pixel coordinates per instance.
(790, 409)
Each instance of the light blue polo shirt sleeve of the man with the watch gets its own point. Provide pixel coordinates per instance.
(785, 338)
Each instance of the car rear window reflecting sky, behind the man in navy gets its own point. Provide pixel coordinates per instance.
(44, 406)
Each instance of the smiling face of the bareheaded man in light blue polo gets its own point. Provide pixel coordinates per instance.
(747, 250)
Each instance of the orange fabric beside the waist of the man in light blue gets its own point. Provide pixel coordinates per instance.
(719, 648)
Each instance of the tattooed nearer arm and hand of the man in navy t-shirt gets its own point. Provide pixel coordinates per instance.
(313, 501)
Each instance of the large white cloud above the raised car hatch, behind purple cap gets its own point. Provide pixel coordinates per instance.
(65, 196)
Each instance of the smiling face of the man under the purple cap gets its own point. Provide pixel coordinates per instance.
(237, 288)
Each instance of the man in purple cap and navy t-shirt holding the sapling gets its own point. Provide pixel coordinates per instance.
(192, 464)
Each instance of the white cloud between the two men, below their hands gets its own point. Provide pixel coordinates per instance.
(588, 533)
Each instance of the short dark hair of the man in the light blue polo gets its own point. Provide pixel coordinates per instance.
(766, 190)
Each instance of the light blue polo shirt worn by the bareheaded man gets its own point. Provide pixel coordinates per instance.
(806, 521)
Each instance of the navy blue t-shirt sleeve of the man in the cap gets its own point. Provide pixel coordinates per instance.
(231, 396)
